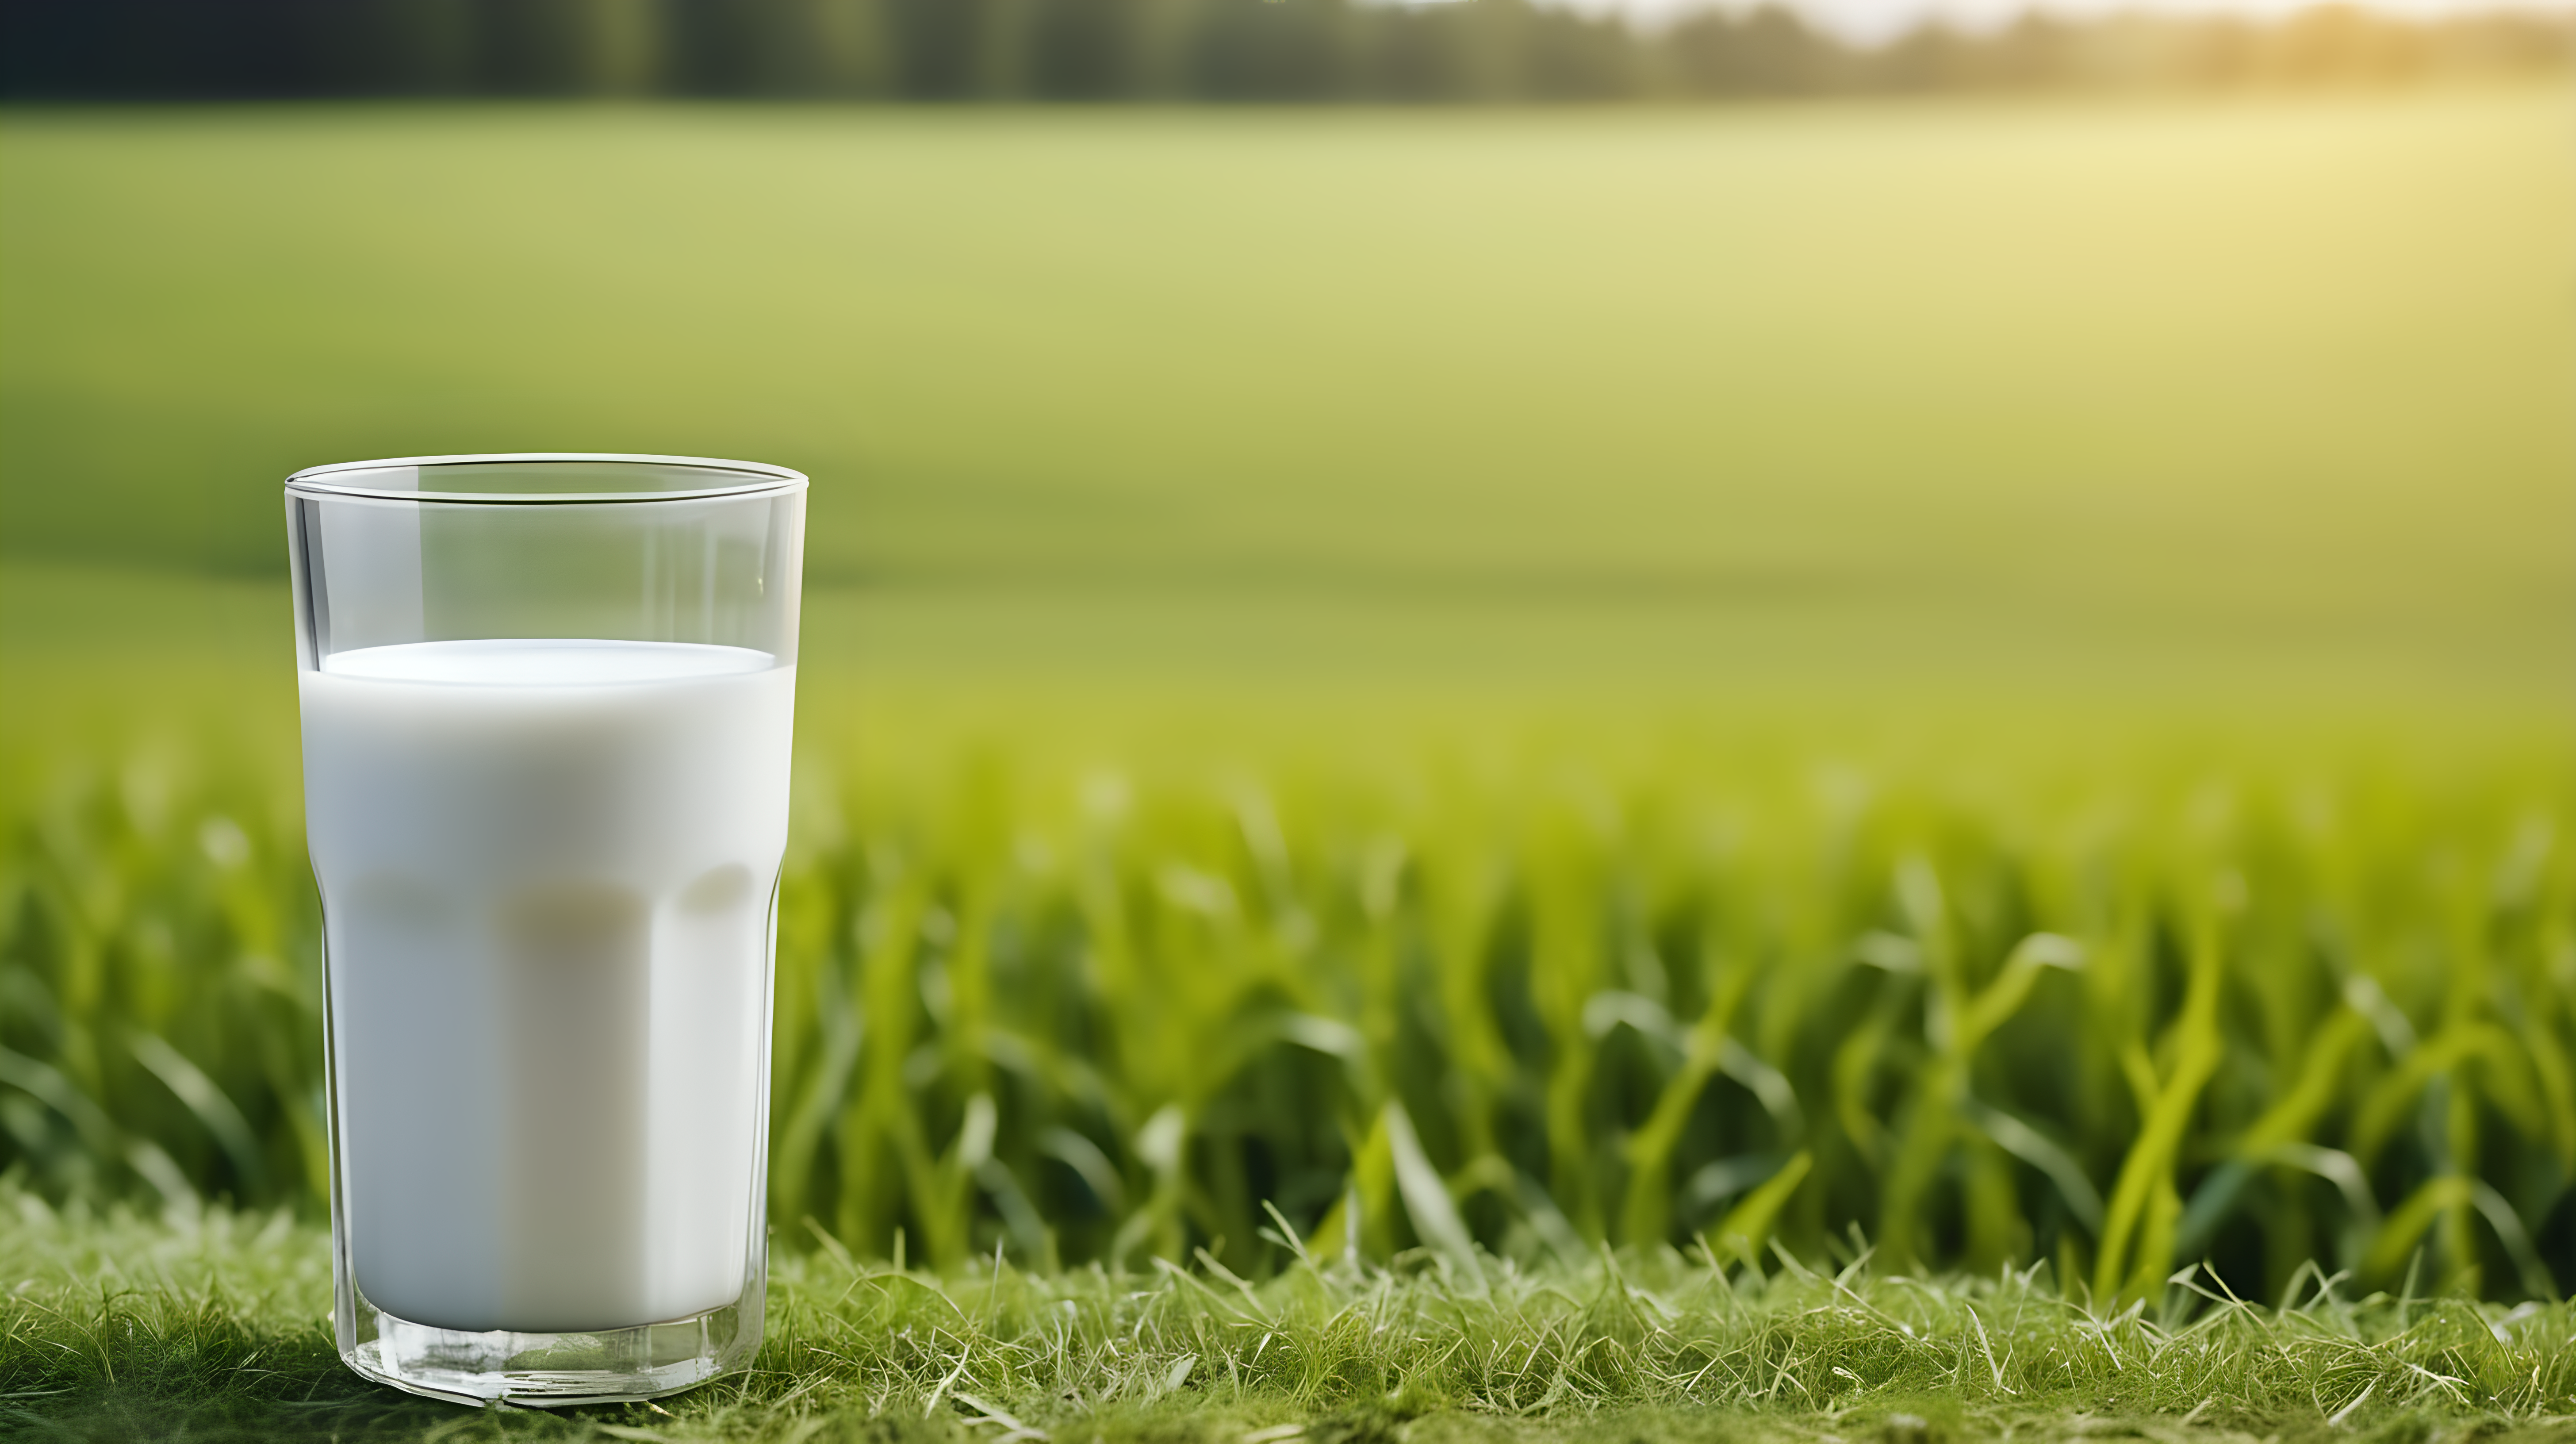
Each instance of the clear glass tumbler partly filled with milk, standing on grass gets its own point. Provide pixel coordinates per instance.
(547, 710)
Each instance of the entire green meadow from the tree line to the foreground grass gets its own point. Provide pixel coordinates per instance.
(1768, 767)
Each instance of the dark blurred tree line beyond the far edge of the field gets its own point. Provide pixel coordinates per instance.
(1181, 50)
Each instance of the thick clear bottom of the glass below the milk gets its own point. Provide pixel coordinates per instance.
(553, 1371)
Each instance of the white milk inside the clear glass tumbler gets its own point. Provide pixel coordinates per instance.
(547, 891)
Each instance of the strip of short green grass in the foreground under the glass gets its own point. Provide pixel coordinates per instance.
(215, 1329)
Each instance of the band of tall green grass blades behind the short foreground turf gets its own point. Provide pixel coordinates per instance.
(1998, 999)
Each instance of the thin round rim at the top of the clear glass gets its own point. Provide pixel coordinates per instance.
(545, 478)
